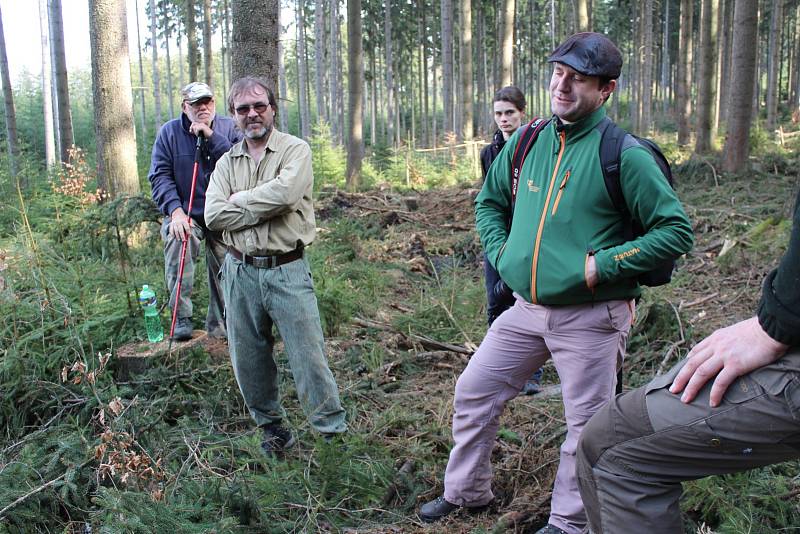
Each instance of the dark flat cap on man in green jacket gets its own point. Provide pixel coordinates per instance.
(589, 53)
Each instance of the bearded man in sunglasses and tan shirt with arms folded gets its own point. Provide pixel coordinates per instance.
(260, 199)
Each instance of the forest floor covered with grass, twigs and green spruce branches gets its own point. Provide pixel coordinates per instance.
(399, 281)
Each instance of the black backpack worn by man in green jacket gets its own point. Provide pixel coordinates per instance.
(611, 144)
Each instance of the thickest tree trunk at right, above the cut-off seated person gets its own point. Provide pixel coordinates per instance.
(743, 69)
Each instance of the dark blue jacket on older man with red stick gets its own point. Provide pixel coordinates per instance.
(173, 160)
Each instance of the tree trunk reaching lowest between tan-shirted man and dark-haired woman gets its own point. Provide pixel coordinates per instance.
(355, 76)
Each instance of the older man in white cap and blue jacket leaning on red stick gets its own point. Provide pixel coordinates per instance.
(171, 180)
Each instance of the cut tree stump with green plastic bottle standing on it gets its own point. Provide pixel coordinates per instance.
(135, 358)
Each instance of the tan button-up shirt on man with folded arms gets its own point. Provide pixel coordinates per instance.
(277, 214)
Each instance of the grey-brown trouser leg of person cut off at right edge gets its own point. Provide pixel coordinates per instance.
(636, 451)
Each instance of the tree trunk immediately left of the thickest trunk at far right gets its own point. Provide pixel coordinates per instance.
(705, 81)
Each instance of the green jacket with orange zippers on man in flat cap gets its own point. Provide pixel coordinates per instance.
(563, 214)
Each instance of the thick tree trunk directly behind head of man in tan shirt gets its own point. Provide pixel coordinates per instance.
(255, 40)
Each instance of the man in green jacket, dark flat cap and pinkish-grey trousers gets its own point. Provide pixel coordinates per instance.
(573, 273)
